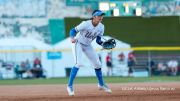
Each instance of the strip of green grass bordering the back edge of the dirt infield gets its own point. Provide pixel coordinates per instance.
(87, 80)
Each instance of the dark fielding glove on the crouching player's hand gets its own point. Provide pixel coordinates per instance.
(109, 44)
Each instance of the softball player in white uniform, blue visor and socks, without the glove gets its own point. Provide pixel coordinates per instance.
(87, 31)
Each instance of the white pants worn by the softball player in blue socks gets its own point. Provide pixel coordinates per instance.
(78, 49)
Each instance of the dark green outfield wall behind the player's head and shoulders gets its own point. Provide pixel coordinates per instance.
(138, 31)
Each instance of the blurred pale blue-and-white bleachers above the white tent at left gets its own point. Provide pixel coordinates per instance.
(17, 22)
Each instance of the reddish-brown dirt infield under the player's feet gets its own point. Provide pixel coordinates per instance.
(89, 92)
